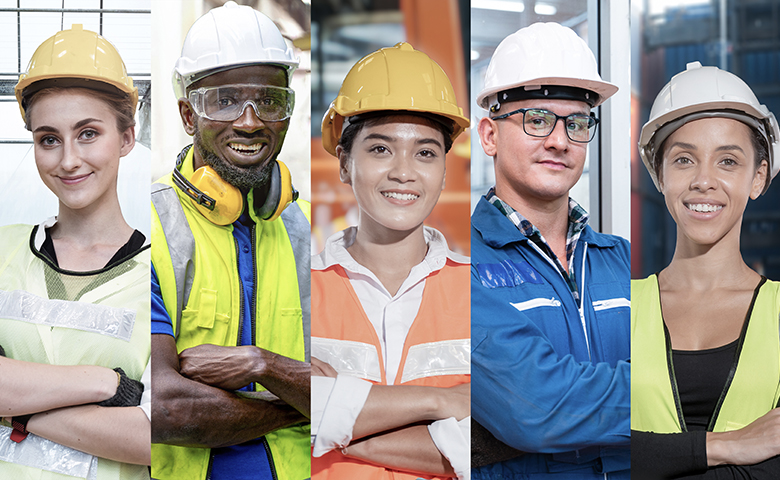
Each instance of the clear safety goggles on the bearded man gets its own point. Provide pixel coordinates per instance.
(226, 103)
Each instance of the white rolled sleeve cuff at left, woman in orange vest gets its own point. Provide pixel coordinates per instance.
(344, 402)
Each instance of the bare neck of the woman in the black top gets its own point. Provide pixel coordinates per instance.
(698, 267)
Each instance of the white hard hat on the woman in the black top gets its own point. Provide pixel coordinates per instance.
(706, 92)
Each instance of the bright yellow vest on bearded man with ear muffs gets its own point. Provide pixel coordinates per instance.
(196, 264)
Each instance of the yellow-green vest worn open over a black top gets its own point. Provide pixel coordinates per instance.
(752, 391)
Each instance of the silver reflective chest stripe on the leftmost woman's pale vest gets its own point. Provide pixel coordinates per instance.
(26, 307)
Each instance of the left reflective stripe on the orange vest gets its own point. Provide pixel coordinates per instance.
(347, 357)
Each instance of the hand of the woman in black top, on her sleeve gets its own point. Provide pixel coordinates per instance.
(752, 444)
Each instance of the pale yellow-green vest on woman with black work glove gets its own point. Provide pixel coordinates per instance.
(50, 316)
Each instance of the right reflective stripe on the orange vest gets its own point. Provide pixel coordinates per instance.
(447, 357)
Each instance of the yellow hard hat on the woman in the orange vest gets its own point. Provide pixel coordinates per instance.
(397, 78)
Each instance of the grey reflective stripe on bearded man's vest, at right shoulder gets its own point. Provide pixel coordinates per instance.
(299, 231)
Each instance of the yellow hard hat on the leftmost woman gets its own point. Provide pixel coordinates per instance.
(75, 57)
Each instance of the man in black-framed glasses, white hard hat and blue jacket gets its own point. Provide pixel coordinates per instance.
(550, 296)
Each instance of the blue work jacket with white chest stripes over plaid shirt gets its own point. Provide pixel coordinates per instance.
(550, 376)
